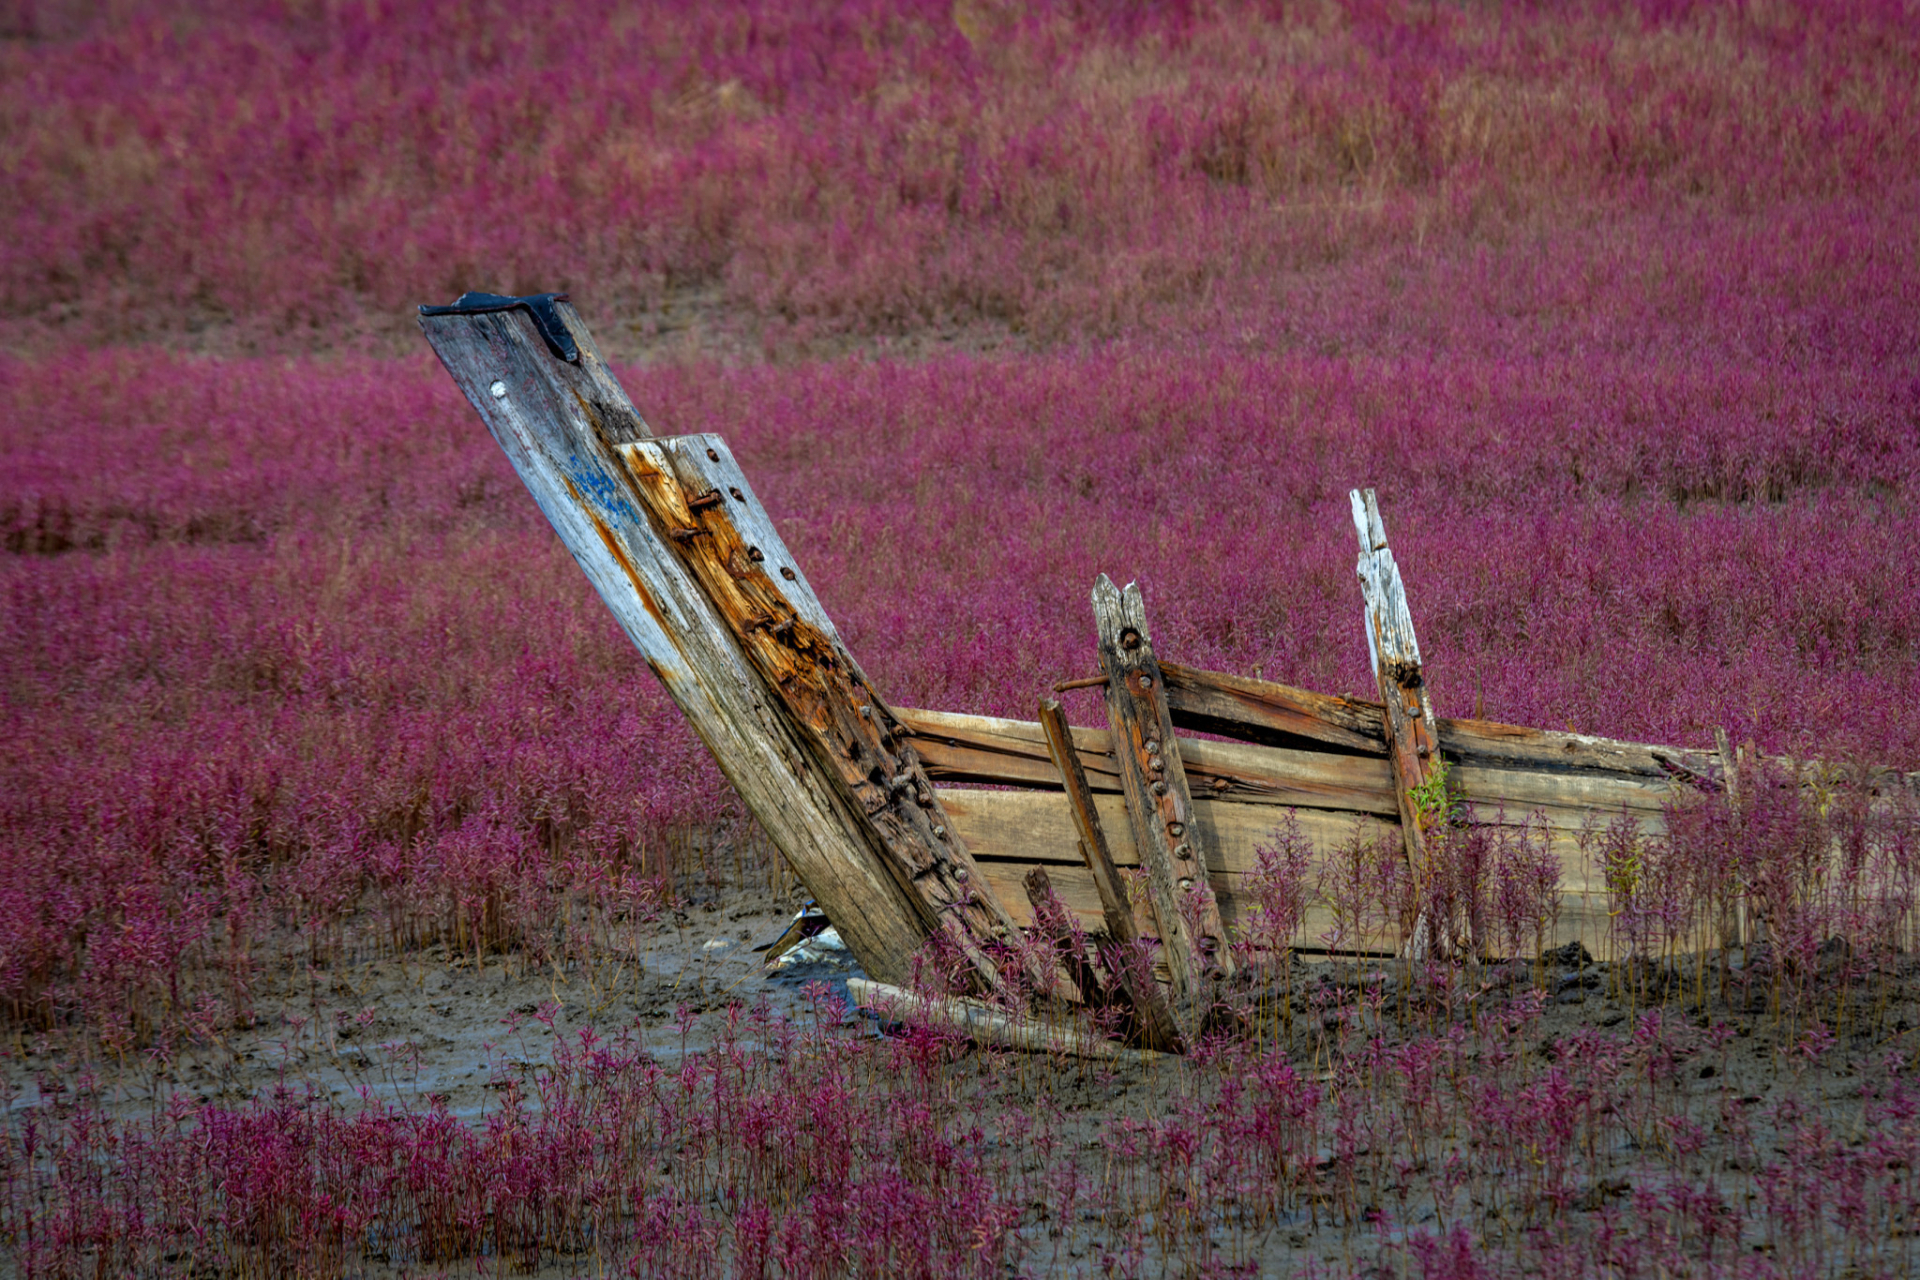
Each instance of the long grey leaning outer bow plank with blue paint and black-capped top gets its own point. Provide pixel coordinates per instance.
(560, 425)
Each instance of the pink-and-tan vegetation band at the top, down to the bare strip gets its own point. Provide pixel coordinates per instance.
(1044, 172)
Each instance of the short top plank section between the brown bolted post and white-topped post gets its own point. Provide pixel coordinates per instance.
(1274, 715)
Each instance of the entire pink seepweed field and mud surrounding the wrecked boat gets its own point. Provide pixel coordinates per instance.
(325, 767)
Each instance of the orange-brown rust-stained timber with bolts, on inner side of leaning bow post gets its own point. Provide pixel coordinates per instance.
(702, 508)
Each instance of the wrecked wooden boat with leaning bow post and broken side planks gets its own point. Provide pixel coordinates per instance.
(915, 826)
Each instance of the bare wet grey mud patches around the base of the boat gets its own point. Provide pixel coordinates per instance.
(437, 1024)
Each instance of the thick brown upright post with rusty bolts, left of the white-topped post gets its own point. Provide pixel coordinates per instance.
(1159, 803)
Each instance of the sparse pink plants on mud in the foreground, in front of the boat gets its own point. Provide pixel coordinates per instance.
(1512, 1145)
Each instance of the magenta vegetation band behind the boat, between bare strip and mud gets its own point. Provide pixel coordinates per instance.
(291, 657)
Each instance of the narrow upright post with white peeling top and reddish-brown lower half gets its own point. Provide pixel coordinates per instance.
(1397, 669)
